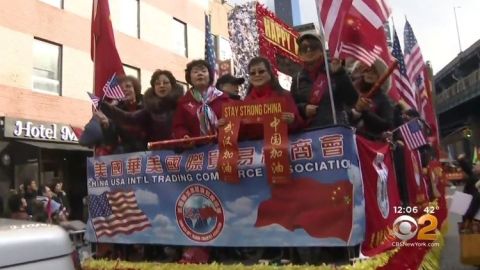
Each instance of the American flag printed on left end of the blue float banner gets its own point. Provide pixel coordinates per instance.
(116, 212)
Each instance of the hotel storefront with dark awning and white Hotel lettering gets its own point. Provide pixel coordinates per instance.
(45, 152)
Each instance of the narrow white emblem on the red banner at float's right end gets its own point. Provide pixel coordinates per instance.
(382, 187)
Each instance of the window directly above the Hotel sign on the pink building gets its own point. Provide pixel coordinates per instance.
(47, 66)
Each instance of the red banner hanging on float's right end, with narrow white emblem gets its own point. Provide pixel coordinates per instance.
(381, 195)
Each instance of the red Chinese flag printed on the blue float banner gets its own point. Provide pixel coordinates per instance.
(310, 205)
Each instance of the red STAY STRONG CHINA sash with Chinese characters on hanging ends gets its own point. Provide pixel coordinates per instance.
(277, 161)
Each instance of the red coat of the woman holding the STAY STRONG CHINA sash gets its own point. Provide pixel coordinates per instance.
(255, 131)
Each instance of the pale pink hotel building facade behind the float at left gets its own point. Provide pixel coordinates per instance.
(46, 71)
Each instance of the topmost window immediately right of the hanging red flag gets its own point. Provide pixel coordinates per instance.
(125, 14)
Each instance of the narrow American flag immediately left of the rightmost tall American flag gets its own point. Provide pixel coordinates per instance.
(400, 77)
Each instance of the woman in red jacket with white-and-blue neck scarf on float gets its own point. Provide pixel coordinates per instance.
(198, 111)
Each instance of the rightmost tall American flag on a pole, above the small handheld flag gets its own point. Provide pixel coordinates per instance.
(415, 65)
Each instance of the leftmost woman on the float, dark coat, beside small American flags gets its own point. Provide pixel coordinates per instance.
(113, 138)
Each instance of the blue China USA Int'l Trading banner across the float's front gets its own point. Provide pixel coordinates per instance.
(163, 197)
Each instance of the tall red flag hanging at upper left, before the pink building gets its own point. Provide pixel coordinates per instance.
(103, 50)
